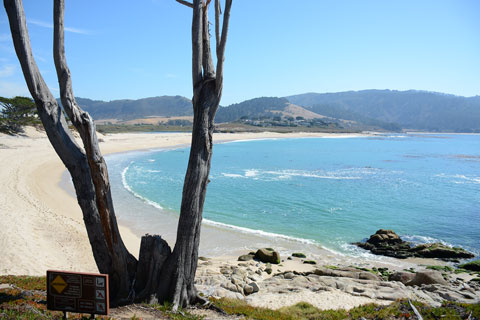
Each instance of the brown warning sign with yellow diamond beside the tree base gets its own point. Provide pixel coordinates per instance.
(77, 292)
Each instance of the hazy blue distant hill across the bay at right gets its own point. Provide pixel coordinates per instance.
(406, 109)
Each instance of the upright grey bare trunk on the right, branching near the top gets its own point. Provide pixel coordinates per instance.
(179, 270)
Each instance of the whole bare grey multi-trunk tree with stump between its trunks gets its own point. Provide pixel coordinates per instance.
(159, 272)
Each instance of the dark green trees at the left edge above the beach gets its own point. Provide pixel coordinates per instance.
(15, 113)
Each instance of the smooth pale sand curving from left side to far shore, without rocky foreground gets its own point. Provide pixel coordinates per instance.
(41, 223)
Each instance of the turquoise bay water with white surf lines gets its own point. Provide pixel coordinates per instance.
(329, 191)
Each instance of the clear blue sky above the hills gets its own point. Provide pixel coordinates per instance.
(126, 49)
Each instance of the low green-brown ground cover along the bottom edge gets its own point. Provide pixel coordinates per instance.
(26, 301)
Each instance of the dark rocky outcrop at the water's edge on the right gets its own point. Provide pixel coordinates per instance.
(388, 243)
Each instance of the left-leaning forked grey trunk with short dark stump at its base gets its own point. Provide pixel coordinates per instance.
(86, 167)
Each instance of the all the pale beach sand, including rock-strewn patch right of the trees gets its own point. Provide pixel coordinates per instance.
(41, 228)
